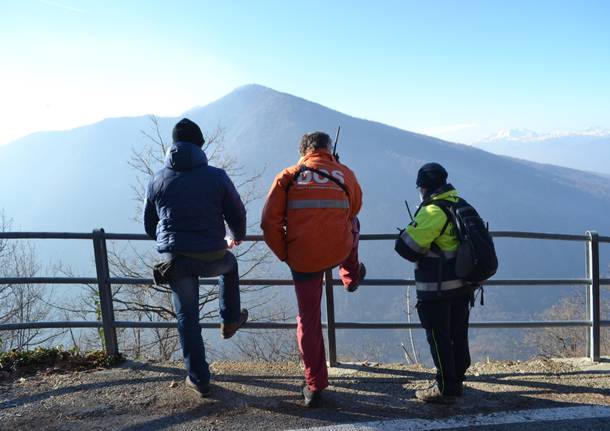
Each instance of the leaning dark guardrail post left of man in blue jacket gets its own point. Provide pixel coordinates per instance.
(105, 292)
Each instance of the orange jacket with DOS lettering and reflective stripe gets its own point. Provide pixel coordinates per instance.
(308, 222)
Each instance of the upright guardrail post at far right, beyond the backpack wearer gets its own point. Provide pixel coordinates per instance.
(593, 296)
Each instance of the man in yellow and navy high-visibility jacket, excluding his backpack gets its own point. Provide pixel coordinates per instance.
(443, 300)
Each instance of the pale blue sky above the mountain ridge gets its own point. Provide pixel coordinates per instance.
(460, 70)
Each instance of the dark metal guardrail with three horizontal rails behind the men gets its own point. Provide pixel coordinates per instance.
(592, 281)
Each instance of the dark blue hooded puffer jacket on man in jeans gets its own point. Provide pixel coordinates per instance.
(188, 201)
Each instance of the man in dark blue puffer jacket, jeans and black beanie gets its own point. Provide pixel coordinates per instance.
(187, 204)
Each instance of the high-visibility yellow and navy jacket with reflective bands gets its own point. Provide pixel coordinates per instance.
(431, 242)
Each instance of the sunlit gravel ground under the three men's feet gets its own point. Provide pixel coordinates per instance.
(259, 396)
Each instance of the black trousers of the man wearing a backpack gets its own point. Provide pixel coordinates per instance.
(446, 325)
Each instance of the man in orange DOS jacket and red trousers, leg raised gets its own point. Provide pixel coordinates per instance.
(309, 221)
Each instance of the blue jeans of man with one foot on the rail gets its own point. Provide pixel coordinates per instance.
(184, 282)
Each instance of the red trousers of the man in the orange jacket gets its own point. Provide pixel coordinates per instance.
(308, 288)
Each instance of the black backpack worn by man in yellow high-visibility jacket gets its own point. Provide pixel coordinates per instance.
(476, 259)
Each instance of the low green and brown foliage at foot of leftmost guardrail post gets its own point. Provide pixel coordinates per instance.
(57, 357)
